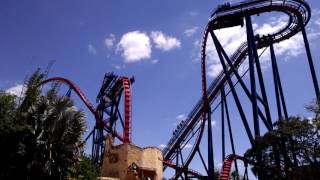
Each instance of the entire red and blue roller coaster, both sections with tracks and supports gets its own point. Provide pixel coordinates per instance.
(191, 130)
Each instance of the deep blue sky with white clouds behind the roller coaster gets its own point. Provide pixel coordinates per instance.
(155, 41)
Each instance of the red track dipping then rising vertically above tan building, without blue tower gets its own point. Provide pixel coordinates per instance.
(126, 138)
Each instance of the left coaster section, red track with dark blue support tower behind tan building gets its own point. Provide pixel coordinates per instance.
(107, 112)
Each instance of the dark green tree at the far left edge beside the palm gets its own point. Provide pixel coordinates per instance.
(13, 137)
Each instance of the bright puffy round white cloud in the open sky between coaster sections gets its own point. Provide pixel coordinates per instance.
(134, 46)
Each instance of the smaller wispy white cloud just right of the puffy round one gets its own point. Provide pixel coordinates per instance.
(164, 42)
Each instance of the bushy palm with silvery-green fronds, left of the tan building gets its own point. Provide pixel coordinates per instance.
(58, 134)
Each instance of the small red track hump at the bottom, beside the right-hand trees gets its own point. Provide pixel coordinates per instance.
(227, 164)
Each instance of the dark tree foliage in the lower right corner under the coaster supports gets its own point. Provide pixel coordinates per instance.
(291, 150)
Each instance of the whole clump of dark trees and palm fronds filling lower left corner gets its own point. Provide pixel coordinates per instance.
(40, 136)
